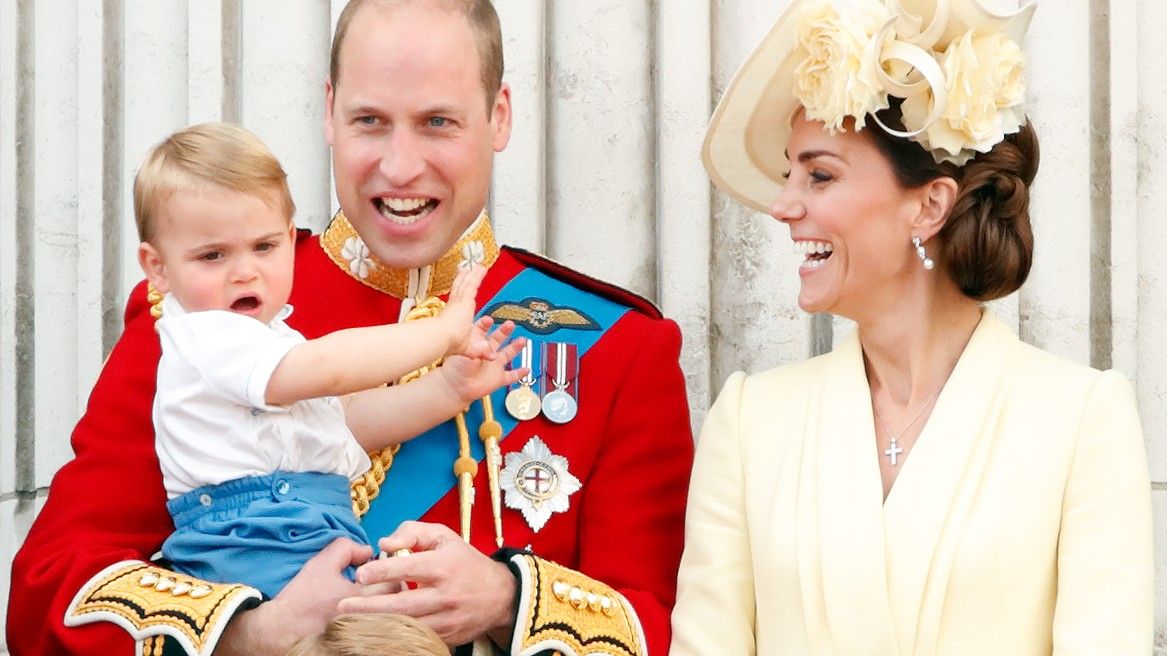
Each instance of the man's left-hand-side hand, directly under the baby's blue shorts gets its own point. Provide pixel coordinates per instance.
(302, 609)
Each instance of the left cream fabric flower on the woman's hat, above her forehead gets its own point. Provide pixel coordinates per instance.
(837, 79)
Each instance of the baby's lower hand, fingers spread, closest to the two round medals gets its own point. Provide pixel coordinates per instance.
(474, 378)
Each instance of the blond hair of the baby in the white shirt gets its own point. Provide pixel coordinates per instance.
(201, 157)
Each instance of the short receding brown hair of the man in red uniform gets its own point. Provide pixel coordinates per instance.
(480, 15)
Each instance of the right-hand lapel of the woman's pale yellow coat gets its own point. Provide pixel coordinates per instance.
(932, 497)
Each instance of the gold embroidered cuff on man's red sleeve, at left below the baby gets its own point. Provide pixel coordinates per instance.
(149, 602)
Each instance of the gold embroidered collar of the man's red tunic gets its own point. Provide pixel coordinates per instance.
(350, 252)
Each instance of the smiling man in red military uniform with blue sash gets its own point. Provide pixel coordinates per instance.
(593, 500)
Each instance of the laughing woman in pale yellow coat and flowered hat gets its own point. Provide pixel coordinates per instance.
(933, 486)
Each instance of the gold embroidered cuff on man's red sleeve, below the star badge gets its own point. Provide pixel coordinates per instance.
(564, 611)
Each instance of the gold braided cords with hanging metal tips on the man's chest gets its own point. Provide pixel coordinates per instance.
(367, 488)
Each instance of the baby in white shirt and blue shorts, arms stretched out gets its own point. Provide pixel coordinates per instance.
(260, 431)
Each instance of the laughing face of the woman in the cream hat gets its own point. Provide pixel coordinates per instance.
(850, 219)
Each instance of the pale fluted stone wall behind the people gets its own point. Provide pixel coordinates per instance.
(611, 99)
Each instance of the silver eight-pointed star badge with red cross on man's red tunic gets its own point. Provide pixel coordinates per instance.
(537, 483)
